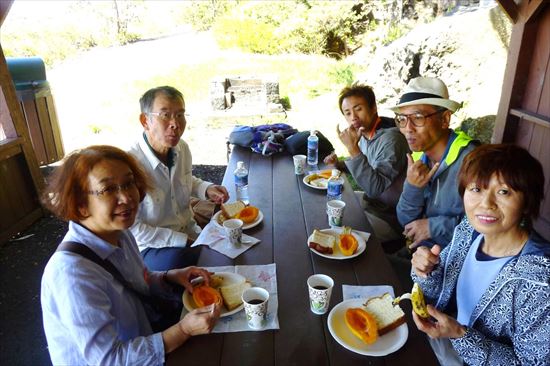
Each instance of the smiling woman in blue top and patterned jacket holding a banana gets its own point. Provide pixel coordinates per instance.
(491, 285)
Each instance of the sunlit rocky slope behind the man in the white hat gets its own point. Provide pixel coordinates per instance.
(464, 50)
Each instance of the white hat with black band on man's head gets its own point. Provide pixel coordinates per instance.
(422, 90)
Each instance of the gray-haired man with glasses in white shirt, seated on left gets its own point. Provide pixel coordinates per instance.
(164, 225)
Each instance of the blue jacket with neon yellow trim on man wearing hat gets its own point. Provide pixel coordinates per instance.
(439, 200)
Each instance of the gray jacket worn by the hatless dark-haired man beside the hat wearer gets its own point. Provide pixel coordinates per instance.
(380, 170)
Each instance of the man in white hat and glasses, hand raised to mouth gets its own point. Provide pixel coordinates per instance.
(430, 207)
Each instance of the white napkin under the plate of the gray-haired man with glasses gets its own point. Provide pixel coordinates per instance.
(214, 236)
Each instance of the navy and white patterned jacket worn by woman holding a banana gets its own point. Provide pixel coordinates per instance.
(510, 325)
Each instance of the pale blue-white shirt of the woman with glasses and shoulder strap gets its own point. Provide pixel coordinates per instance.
(92, 319)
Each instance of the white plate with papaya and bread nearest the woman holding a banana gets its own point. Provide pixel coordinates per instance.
(388, 343)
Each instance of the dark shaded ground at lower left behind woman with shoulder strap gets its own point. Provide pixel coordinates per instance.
(22, 339)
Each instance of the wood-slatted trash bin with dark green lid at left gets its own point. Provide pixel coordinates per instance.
(35, 97)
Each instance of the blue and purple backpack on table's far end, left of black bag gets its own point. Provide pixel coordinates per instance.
(262, 139)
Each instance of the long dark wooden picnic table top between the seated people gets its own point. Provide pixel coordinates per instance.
(291, 211)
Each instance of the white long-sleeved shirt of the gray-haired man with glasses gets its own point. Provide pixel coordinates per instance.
(164, 217)
